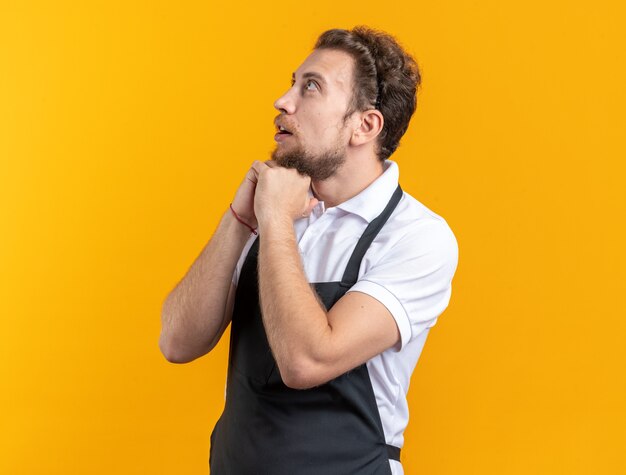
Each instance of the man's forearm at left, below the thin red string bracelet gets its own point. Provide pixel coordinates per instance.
(193, 312)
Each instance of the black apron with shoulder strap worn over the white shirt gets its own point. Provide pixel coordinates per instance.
(268, 428)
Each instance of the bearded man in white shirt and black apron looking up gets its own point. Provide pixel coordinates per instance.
(332, 294)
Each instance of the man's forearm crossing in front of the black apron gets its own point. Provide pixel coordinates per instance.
(295, 321)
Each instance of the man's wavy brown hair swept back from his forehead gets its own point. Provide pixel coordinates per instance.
(385, 78)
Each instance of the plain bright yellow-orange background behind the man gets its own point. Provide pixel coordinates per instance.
(125, 128)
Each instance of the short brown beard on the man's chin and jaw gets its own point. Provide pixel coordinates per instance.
(319, 166)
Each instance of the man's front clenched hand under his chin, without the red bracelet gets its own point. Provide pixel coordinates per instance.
(281, 193)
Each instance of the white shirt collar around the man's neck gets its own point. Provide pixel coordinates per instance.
(370, 202)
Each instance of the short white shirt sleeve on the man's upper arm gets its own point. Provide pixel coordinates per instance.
(413, 279)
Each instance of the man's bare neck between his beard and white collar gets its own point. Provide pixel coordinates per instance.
(354, 176)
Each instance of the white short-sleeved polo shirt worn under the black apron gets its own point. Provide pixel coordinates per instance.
(408, 268)
